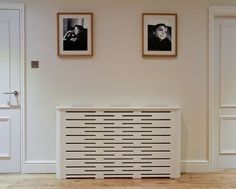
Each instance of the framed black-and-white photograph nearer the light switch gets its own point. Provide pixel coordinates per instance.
(75, 34)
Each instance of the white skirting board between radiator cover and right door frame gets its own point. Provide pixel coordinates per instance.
(195, 166)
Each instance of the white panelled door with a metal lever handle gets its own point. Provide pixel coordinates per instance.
(10, 119)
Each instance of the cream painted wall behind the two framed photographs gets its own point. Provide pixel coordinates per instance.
(117, 74)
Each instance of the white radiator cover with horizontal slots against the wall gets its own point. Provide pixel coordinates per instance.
(110, 142)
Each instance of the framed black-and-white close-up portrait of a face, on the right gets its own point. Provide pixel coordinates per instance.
(159, 34)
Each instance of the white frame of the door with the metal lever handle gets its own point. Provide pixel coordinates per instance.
(21, 9)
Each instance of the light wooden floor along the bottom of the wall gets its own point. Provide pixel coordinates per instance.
(223, 179)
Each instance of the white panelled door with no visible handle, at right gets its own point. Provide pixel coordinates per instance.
(224, 93)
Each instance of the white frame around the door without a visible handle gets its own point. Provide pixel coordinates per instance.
(213, 13)
